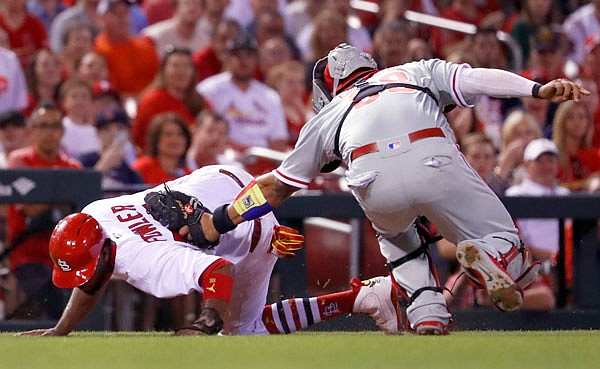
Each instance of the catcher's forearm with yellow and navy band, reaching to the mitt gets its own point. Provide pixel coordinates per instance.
(265, 193)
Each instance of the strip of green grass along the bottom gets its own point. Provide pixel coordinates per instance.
(311, 350)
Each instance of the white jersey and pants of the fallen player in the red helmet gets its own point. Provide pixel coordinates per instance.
(150, 259)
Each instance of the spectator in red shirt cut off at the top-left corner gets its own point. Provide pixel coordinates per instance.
(26, 33)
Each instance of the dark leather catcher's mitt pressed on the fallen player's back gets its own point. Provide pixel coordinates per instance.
(174, 210)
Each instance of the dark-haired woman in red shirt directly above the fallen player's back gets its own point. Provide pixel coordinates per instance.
(169, 139)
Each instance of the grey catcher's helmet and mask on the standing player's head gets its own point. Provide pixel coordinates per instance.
(341, 63)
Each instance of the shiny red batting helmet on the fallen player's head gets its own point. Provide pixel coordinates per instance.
(75, 247)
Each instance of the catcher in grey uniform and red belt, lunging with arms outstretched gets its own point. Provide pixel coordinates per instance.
(388, 127)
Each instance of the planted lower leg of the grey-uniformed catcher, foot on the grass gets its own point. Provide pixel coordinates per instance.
(415, 273)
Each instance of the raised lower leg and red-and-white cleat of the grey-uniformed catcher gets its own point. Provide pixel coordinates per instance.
(502, 274)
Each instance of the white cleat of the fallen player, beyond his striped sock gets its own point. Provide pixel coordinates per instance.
(378, 297)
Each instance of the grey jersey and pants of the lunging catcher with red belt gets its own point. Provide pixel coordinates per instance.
(403, 180)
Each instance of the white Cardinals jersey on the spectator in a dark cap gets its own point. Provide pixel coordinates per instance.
(254, 116)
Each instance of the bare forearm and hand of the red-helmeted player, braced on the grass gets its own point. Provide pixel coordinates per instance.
(79, 306)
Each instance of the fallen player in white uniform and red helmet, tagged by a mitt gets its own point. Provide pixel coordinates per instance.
(153, 241)
